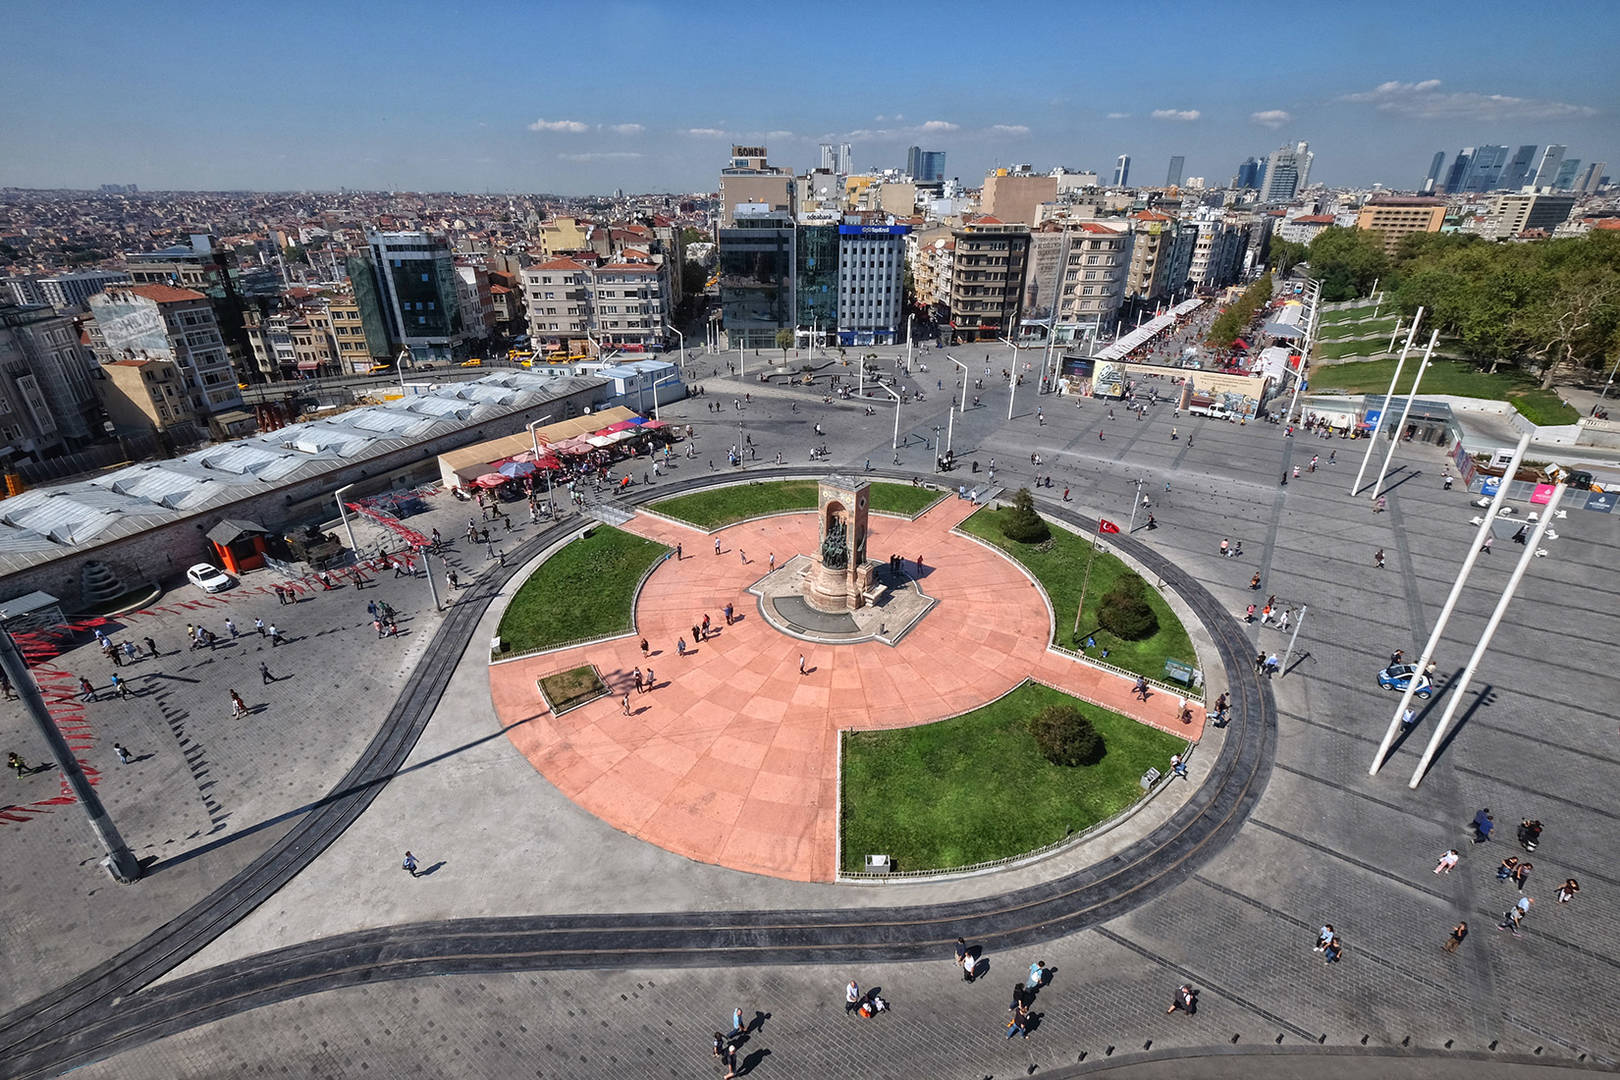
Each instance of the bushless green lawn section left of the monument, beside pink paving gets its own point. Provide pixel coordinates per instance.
(582, 592)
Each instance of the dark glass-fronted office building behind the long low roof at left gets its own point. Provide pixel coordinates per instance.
(409, 294)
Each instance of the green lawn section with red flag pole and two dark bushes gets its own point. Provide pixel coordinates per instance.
(1059, 564)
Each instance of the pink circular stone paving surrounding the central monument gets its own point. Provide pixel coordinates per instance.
(733, 759)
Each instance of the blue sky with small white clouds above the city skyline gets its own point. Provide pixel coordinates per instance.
(586, 98)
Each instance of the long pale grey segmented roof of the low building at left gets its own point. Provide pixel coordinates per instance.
(49, 522)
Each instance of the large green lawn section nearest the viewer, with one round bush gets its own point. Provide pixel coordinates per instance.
(974, 788)
